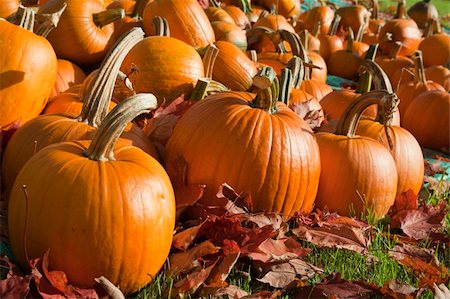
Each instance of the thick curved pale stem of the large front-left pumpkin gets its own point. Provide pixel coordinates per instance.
(102, 145)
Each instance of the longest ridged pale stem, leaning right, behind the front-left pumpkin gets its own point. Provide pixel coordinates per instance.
(100, 90)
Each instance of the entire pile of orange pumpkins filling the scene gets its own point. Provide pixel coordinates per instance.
(116, 115)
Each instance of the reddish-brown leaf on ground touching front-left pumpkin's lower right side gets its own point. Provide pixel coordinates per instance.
(184, 262)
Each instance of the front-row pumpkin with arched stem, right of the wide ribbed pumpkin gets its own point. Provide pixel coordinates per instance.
(358, 173)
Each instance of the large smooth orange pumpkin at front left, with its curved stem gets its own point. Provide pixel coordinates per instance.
(98, 205)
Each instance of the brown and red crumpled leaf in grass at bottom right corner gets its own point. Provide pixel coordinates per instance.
(423, 262)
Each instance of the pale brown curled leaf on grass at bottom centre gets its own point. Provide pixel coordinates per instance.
(283, 274)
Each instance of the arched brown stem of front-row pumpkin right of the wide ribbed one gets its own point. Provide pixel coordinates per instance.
(349, 121)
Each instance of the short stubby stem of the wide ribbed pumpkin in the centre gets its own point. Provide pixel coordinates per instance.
(267, 85)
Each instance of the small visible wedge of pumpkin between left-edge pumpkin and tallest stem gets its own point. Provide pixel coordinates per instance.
(68, 74)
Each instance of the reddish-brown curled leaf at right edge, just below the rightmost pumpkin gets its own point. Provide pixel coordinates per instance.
(419, 223)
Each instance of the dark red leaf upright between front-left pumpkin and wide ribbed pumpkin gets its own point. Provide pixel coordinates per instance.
(185, 194)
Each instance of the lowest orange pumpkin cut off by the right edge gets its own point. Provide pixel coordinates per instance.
(428, 119)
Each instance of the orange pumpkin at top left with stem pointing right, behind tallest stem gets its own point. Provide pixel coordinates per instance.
(77, 38)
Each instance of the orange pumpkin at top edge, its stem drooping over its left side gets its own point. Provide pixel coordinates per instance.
(187, 21)
